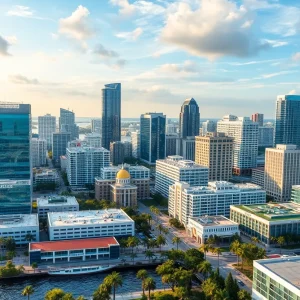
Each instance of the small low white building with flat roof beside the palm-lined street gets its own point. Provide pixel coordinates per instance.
(201, 228)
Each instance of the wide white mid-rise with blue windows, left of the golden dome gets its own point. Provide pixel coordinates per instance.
(85, 163)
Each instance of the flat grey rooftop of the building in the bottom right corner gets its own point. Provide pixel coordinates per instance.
(285, 268)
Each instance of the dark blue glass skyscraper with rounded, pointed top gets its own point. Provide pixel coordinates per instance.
(189, 118)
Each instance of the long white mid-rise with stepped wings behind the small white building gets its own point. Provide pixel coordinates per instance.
(215, 199)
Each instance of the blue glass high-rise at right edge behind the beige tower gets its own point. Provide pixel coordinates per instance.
(287, 126)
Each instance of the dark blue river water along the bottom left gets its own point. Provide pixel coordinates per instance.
(77, 285)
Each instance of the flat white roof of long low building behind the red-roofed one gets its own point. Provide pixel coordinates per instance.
(88, 217)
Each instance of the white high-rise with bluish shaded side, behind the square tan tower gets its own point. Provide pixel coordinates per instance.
(245, 143)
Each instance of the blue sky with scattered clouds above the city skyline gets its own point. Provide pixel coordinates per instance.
(233, 57)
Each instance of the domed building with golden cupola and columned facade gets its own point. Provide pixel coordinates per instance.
(123, 192)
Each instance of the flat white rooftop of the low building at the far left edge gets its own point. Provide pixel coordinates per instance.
(12, 221)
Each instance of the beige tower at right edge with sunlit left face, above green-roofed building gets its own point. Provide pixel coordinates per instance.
(282, 170)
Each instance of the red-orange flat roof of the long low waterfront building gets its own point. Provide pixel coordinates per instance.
(74, 244)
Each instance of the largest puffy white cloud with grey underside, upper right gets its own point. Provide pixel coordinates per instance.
(212, 30)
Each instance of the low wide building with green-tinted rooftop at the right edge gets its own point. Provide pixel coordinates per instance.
(267, 221)
